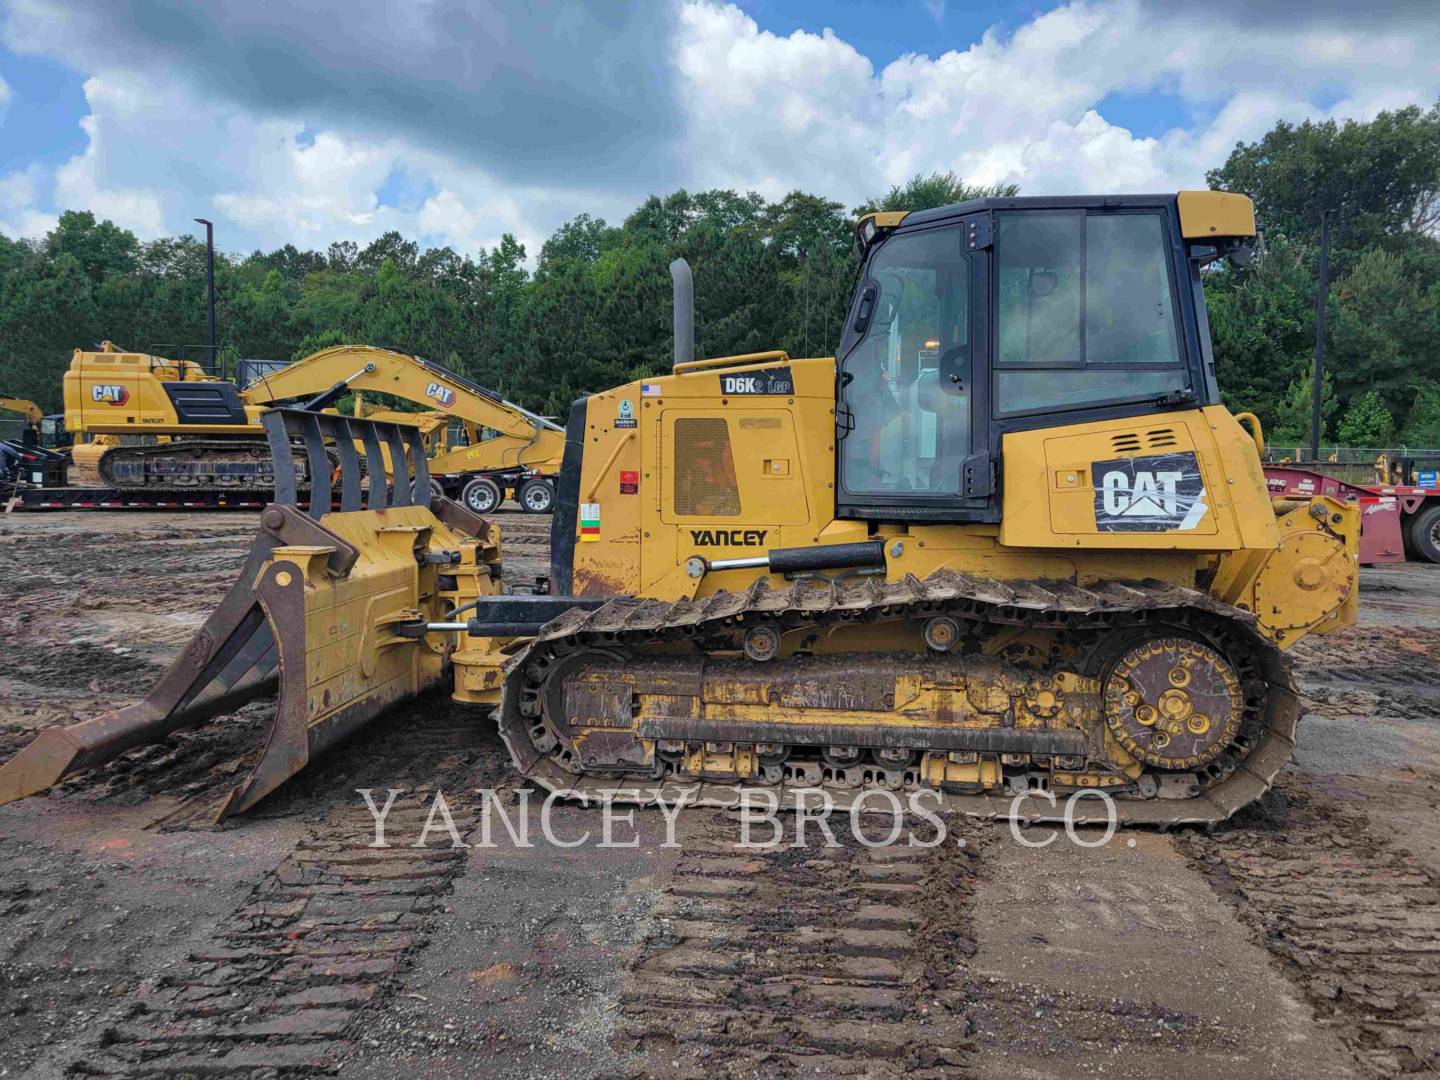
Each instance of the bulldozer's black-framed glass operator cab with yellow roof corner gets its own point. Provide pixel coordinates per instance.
(1004, 315)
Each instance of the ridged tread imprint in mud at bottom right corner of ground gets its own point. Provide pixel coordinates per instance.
(1353, 921)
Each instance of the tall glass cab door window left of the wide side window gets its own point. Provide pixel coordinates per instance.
(906, 384)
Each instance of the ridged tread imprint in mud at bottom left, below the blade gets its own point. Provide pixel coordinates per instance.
(286, 980)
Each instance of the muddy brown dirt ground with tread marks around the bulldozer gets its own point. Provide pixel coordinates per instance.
(1300, 941)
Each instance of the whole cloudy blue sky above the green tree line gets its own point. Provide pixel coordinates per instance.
(467, 119)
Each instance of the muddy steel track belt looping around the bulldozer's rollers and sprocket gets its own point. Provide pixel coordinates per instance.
(630, 629)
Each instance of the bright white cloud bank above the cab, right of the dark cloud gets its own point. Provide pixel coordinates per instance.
(809, 112)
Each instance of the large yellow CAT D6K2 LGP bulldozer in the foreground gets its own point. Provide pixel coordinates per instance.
(1007, 544)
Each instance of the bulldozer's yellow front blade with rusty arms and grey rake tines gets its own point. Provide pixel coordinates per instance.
(323, 613)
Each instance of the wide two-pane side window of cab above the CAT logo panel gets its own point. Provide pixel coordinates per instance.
(1085, 312)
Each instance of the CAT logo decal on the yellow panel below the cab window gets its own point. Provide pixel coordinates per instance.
(1157, 495)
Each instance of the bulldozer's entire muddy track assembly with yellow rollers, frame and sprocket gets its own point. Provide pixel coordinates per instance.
(1161, 696)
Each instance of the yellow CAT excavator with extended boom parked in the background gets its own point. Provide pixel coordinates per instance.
(205, 431)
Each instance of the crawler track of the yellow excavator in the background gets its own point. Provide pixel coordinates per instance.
(199, 463)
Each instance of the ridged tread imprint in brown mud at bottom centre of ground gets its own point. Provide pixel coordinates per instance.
(822, 961)
